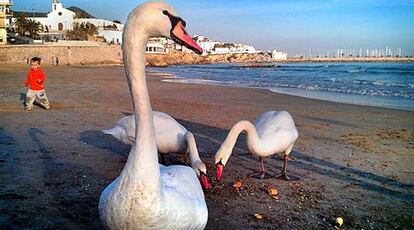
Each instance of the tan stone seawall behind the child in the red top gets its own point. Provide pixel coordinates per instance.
(68, 55)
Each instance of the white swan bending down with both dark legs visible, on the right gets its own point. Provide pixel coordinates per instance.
(273, 132)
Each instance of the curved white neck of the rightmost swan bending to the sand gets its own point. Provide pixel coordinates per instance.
(252, 137)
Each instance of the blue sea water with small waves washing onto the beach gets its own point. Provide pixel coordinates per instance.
(389, 85)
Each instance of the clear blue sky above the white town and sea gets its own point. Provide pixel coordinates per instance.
(287, 25)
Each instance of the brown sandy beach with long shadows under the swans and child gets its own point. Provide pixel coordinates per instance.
(354, 162)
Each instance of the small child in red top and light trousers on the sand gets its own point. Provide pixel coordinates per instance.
(35, 78)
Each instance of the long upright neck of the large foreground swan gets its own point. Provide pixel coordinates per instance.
(141, 170)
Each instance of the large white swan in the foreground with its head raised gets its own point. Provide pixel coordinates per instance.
(151, 196)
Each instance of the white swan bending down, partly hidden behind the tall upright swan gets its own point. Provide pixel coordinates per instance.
(171, 136)
